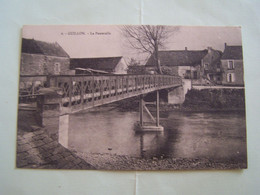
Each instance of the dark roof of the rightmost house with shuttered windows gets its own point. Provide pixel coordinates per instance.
(232, 52)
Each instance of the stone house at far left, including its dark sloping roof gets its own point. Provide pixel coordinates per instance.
(42, 58)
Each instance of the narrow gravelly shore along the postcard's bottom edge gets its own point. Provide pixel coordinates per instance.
(123, 162)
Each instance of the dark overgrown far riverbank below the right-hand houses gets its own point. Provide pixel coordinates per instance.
(205, 100)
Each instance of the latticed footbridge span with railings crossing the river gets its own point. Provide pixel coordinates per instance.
(84, 91)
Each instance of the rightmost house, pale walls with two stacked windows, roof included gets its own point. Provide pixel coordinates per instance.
(232, 64)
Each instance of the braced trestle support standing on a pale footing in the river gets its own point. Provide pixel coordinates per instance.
(155, 126)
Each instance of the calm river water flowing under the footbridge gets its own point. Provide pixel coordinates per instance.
(212, 135)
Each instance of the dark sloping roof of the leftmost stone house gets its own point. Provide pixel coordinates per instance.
(32, 46)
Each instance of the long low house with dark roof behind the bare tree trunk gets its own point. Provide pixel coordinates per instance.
(185, 63)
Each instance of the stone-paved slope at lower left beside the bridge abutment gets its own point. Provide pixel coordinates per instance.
(35, 149)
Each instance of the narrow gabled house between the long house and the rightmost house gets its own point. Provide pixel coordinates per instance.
(211, 66)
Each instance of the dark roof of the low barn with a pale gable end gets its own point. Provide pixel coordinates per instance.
(105, 63)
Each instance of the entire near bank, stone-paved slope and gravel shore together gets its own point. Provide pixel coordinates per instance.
(35, 149)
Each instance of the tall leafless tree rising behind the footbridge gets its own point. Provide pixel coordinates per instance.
(148, 39)
